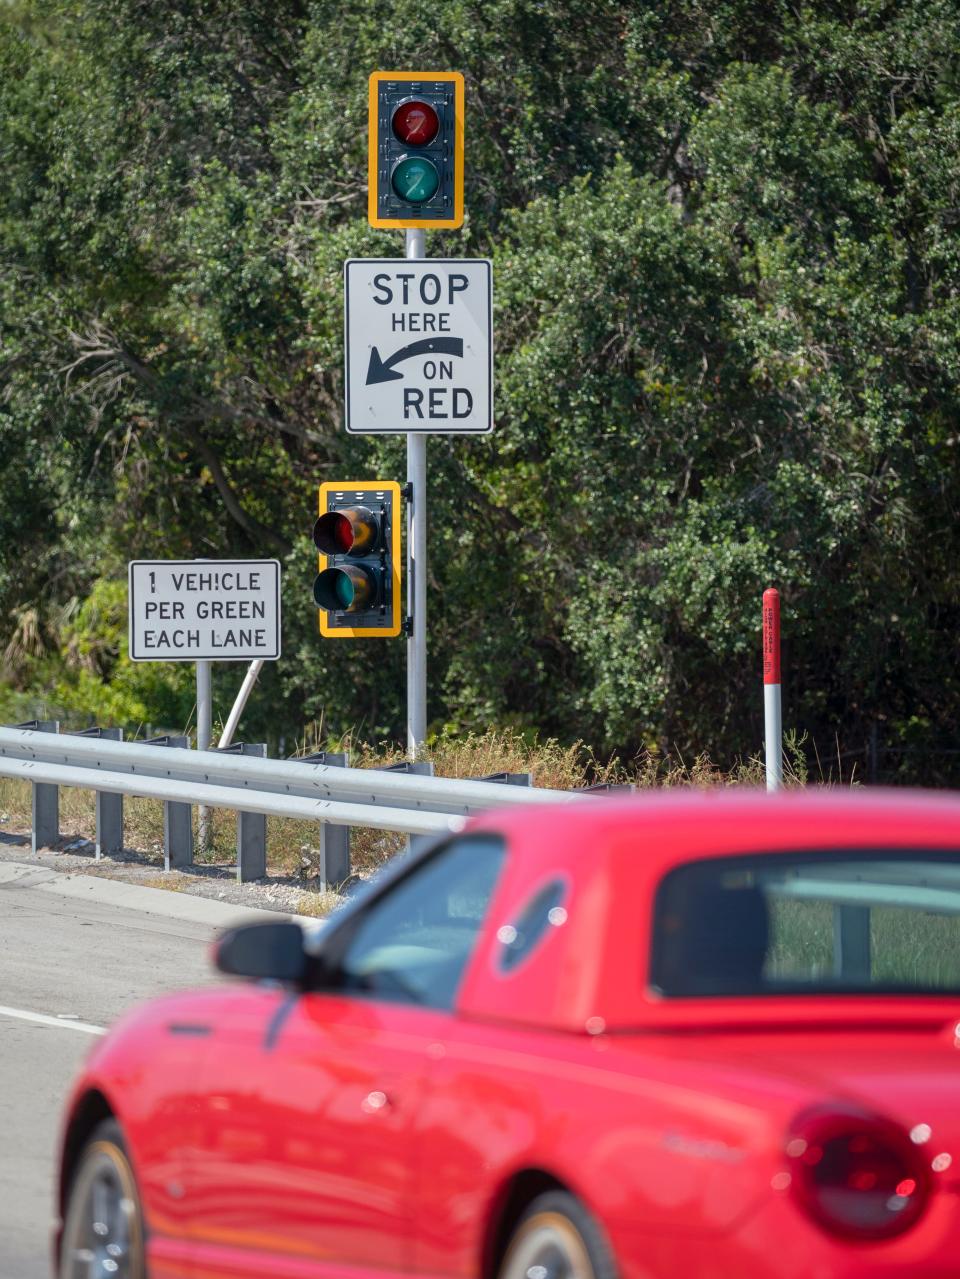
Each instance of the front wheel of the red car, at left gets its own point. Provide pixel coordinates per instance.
(104, 1221)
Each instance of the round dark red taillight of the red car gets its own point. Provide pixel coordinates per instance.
(857, 1175)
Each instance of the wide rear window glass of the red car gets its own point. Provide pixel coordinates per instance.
(874, 923)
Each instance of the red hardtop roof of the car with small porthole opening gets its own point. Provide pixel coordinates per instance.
(613, 852)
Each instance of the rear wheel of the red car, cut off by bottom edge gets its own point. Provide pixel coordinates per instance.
(558, 1239)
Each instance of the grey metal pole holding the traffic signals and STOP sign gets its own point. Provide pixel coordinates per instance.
(417, 563)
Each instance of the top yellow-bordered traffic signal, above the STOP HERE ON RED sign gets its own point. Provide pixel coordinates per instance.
(416, 149)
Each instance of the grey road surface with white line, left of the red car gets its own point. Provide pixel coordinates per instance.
(77, 951)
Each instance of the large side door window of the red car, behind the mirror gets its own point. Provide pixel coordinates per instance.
(412, 946)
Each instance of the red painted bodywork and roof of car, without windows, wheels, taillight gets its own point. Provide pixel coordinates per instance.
(263, 1147)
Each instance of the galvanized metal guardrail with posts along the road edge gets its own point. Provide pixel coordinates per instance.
(330, 794)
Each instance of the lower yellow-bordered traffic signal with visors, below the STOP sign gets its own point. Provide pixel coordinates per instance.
(359, 538)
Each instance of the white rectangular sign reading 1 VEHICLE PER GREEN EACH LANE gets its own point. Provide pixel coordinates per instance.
(203, 611)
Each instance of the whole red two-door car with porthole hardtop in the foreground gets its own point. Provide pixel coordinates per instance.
(701, 1037)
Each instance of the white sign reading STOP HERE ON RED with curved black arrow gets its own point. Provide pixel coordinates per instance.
(420, 346)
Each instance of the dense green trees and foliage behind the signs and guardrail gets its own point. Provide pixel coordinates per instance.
(728, 320)
